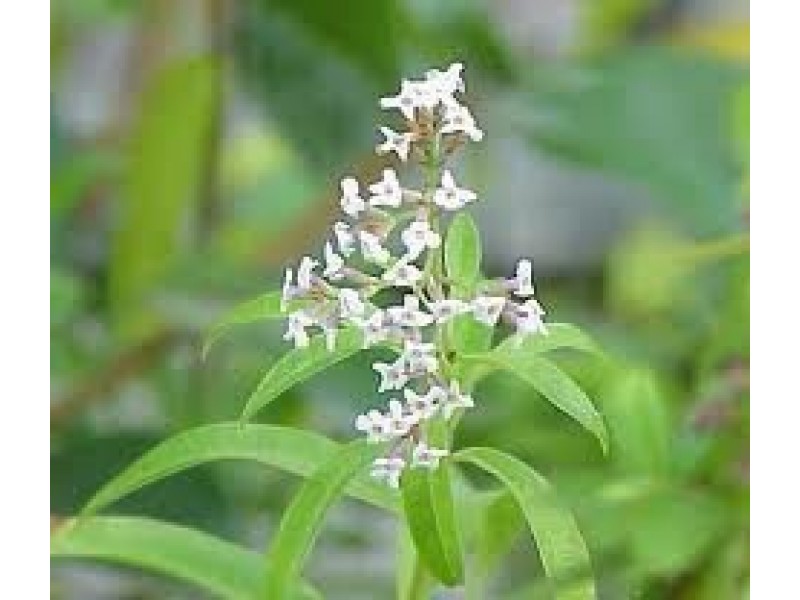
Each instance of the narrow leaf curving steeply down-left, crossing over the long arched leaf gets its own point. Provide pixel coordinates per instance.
(303, 518)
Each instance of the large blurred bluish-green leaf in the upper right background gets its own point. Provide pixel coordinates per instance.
(652, 116)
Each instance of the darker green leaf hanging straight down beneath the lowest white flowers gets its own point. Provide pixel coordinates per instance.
(428, 505)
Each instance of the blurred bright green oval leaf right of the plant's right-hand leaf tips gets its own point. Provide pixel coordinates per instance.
(638, 423)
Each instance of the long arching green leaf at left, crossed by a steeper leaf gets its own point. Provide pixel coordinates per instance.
(292, 450)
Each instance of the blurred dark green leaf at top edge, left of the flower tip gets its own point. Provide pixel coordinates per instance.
(319, 70)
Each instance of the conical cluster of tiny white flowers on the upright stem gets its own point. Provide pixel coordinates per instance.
(390, 240)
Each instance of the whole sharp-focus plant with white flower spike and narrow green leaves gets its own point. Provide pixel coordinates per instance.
(399, 277)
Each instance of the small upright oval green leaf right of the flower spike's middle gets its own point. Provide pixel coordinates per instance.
(462, 254)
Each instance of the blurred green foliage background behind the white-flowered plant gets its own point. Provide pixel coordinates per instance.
(196, 149)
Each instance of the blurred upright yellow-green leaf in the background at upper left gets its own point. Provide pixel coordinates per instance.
(167, 153)
